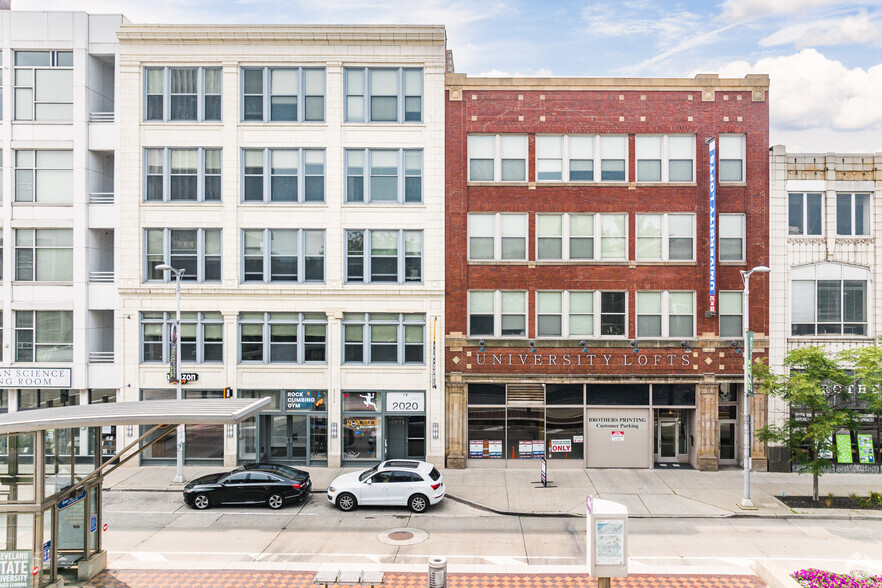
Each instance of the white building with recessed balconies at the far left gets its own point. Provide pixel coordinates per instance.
(59, 137)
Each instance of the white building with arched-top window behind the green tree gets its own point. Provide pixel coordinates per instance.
(825, 231)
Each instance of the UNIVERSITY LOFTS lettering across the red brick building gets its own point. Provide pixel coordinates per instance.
(586, 359)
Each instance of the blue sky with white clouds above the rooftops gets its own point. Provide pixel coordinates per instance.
(824, 56)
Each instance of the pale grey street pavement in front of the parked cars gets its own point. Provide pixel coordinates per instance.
(156, 530)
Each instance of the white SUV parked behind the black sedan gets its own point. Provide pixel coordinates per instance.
(397, 482)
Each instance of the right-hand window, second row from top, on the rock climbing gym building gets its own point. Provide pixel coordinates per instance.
(395, 175)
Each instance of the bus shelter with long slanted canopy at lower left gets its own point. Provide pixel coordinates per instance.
(51, 472)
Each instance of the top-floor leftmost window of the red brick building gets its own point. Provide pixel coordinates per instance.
(497, 158)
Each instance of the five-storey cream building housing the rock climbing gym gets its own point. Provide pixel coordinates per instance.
(296, 174)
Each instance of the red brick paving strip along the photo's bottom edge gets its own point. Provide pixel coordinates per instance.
(299, 579)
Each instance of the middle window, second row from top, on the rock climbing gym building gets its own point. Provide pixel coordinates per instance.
(283, 175)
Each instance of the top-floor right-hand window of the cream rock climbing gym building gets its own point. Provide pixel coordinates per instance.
(383, 94)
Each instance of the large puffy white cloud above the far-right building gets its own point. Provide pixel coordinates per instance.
(810, 91)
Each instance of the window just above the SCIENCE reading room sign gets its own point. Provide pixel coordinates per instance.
(43, 335)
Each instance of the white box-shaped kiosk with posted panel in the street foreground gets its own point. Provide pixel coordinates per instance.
(607, 539)
